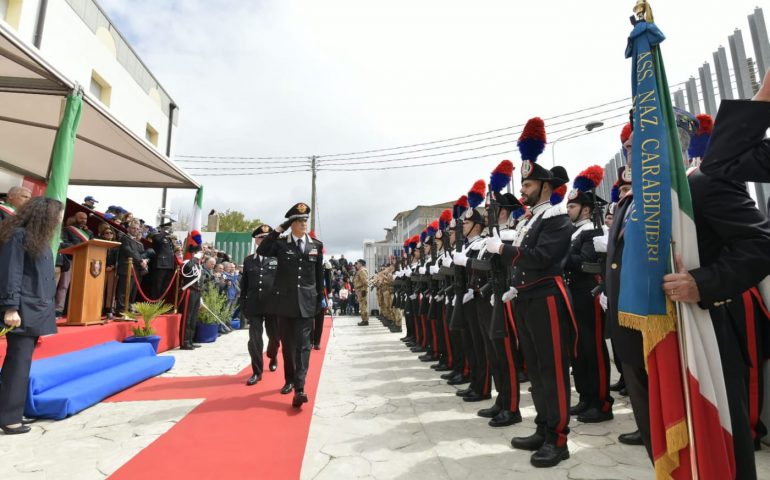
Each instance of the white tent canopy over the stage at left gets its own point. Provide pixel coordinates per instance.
(106, 152)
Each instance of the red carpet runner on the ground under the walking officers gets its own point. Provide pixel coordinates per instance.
(238, 432)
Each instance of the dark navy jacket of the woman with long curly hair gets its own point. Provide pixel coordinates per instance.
(27, 285)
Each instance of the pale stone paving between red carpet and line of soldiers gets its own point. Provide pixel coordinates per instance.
(382, 414)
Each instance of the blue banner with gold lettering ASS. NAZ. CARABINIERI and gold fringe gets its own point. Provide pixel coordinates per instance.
(647, 237)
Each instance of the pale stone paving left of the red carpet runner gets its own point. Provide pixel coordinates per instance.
(96, 442)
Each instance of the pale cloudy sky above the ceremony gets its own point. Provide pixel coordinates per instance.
(301, 77)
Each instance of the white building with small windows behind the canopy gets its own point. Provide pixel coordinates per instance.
(80, 43)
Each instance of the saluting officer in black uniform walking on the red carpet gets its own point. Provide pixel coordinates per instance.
(299, 294)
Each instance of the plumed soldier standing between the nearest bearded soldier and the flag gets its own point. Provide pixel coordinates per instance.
(590, 366)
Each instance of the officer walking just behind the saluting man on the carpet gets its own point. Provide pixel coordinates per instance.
(257, 306)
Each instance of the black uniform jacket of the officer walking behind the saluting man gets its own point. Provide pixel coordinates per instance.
(257, 283)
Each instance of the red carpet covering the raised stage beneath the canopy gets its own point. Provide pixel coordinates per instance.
(70, 339)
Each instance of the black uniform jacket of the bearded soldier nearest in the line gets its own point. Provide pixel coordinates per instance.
(539, 259)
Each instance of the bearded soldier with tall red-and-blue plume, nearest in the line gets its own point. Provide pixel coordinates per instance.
(542, 308)
